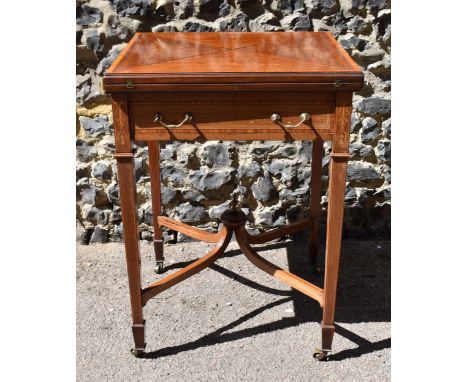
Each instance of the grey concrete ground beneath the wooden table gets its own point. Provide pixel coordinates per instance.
(232, 322)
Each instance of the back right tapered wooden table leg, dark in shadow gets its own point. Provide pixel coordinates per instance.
(314, 211)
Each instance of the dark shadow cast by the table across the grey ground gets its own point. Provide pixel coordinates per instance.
(363, 296)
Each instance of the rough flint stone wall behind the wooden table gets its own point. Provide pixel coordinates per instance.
(272, 178)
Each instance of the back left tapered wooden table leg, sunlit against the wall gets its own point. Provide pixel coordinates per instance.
(155, 178)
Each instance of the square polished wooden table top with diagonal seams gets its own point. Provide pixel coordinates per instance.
(234, 57)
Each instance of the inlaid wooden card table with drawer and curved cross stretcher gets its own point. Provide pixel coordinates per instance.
(233, 86)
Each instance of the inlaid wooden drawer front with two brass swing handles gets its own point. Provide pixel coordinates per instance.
(233, 116)
